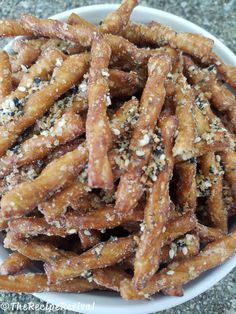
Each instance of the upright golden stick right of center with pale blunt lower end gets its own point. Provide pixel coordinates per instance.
(184, 100)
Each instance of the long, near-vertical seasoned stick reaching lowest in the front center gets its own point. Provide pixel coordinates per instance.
(156, 212)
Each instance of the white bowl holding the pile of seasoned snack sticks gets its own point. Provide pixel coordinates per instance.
(108, 302)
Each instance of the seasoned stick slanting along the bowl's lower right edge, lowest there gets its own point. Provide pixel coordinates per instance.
(178, 274)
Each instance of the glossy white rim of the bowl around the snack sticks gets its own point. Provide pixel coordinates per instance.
(207, 279)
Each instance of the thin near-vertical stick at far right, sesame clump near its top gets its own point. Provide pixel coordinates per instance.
(216, 210)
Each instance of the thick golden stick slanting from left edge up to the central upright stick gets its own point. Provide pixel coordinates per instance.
(72, 69)
